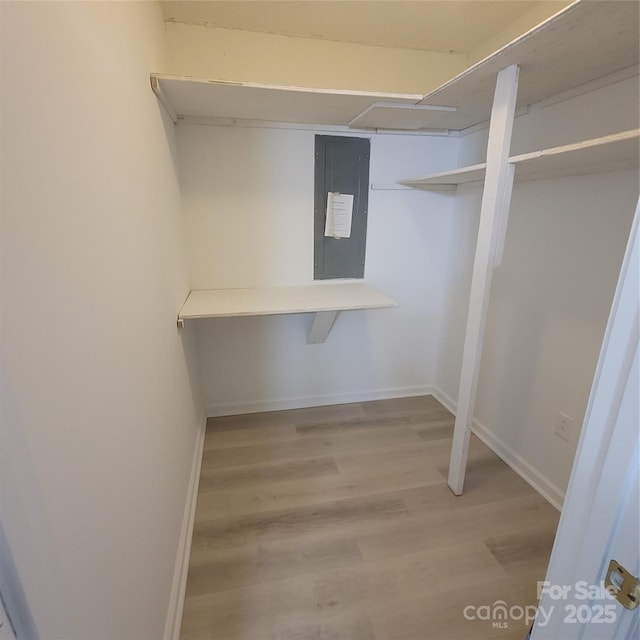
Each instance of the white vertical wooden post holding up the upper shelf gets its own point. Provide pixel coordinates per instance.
(493, 212)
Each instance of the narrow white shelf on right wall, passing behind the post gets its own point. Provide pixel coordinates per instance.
(608, 153)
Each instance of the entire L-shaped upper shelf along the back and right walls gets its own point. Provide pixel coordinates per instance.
(577, 47)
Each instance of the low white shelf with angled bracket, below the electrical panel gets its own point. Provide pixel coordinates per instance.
(325, 300)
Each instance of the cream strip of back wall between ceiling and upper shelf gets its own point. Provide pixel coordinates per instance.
(244, 56)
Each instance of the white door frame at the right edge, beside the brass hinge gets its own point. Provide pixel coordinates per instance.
(605, 466)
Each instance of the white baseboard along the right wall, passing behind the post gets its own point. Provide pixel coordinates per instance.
(547, 489)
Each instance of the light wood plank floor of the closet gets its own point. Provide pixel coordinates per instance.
(336, 523)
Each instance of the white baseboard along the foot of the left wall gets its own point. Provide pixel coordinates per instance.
(178, 587)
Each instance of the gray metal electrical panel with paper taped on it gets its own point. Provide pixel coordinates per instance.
(341, 166)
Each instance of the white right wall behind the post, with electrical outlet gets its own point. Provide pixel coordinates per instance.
(550, 298)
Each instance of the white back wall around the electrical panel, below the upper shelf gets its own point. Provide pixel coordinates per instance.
(248, 203)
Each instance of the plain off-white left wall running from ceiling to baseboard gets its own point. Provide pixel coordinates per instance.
(99, 414)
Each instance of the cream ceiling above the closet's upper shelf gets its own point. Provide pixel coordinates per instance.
(450, 26)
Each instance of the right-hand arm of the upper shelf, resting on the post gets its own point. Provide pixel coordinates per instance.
(577, 48)
